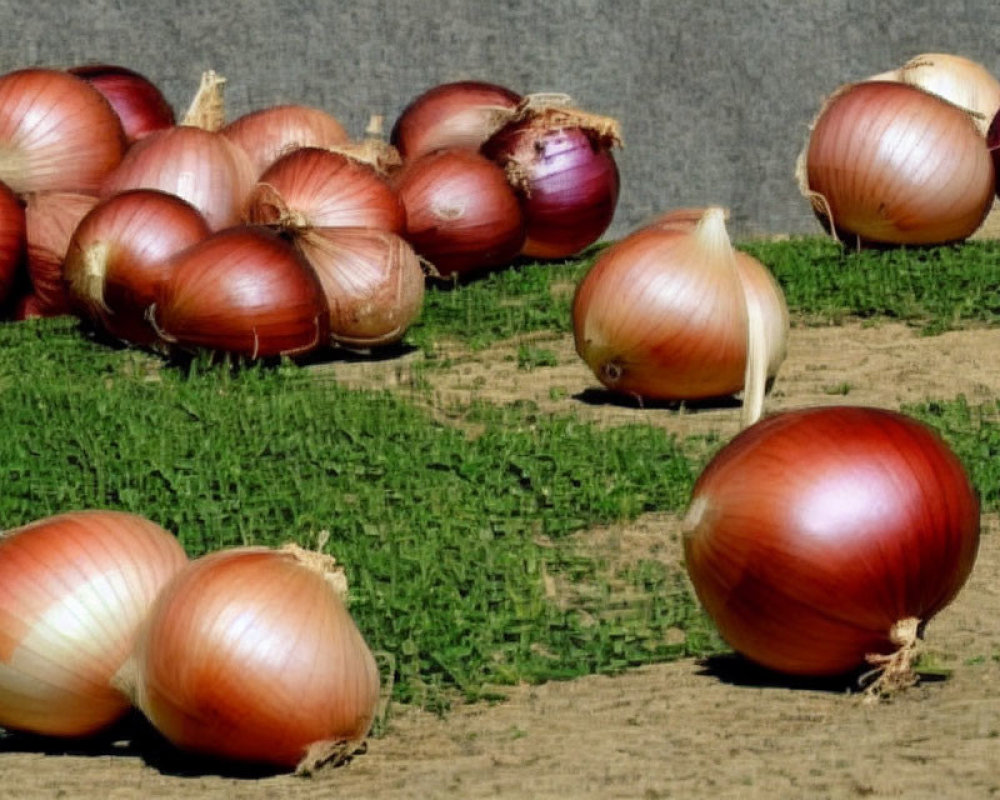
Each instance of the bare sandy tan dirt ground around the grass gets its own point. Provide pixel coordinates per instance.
(716, 729)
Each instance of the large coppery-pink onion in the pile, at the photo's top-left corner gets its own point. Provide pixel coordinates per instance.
(57, 133)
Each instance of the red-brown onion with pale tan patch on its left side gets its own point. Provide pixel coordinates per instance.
(117, 258)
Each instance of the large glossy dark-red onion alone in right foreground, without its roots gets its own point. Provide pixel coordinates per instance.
(813, 532)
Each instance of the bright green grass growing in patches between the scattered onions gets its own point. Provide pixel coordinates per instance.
(453, 536)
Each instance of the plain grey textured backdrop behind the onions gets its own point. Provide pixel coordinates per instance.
(714, 96)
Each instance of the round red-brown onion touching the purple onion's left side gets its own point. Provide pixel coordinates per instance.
(461, 214)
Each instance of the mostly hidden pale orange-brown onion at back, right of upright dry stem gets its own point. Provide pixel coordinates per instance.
(269, 133)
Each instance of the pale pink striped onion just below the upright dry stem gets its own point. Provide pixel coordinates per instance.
(197, 165)
